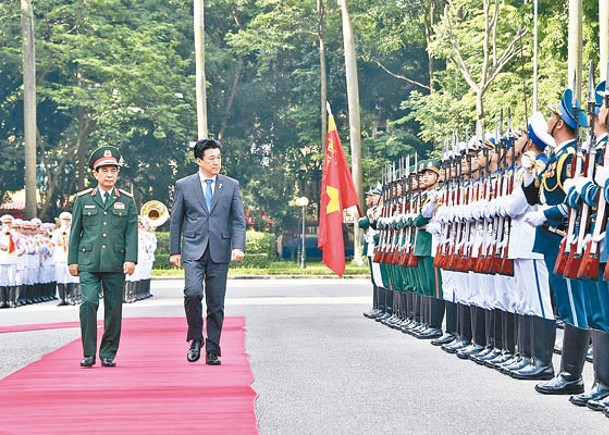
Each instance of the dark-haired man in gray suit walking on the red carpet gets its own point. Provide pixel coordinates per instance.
(207, 231)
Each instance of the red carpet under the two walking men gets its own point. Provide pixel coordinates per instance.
(152, 390)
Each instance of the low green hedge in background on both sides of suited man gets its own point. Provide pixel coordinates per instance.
(259, 248)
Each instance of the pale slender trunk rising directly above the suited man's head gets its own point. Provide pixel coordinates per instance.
(199, 23)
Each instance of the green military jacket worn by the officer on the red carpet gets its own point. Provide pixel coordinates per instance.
(103, 236)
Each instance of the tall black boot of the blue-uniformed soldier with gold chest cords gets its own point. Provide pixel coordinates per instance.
(569, 380)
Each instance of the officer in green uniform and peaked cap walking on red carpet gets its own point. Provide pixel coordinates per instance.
(103, 249)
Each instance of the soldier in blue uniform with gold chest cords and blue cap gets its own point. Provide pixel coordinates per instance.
(549, 191)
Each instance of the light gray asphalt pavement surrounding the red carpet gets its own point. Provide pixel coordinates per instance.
(320, 367)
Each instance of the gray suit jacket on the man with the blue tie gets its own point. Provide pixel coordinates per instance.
(194, 228)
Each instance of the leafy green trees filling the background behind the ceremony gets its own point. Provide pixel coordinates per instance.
(122, 72)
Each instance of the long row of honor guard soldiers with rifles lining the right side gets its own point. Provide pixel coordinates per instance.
(501, 241)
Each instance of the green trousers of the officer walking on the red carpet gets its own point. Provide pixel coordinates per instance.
(113, 284)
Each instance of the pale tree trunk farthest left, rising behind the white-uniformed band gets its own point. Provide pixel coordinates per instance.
(29, 106)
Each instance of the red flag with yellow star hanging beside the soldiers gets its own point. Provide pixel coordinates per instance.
(337, 193)
